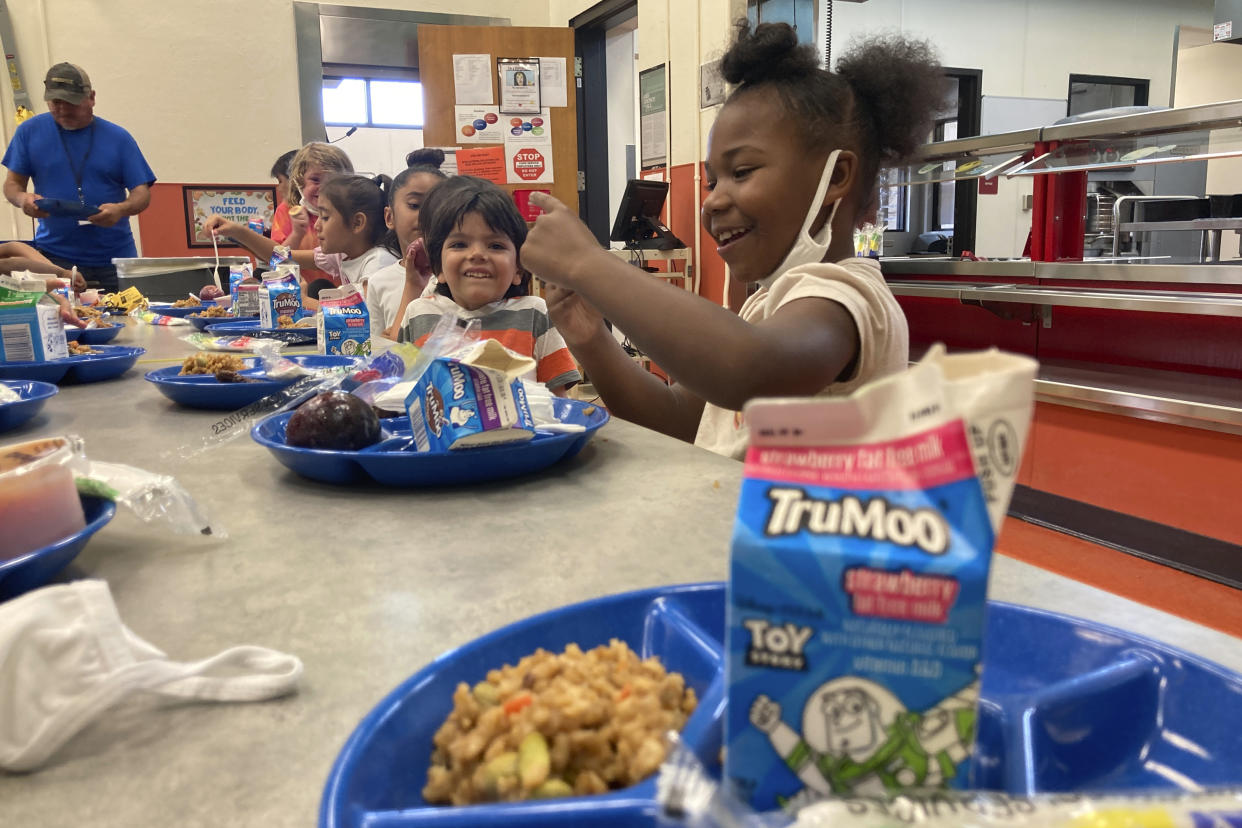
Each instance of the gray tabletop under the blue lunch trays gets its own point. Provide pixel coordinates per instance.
(367, 585)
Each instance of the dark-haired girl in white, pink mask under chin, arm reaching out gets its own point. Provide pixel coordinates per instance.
(353, 240)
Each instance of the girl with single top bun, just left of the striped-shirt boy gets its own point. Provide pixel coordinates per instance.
(394, 287)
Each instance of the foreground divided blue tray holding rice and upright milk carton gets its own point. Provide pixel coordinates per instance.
(1066, 706)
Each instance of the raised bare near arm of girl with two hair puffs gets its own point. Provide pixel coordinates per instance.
(716, 356)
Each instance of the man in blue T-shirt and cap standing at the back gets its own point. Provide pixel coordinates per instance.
(84, 162)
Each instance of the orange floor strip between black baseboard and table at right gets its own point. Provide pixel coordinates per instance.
(1189, 596)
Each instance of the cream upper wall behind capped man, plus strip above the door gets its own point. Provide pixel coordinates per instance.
(208, 89)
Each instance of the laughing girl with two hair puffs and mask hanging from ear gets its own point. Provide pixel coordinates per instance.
(792, 162)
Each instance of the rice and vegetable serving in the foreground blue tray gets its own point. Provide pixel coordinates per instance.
(558, 726)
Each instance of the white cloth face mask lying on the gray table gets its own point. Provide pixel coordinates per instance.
(66, 659)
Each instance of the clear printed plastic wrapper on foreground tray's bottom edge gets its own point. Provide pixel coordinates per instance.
(690, 796)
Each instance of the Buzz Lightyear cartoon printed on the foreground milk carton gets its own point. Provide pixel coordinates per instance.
(859, 739)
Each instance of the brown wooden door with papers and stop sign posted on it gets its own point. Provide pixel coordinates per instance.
(437, 49)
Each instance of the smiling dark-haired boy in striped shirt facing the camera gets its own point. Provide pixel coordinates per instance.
(474, 233)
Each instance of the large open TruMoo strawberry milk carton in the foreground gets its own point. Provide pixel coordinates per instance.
(859, 580)
